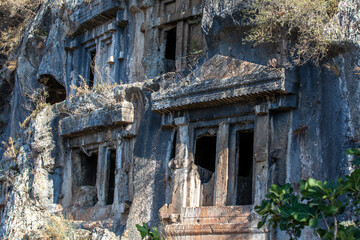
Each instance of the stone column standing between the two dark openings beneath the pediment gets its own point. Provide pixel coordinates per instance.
(222, 165)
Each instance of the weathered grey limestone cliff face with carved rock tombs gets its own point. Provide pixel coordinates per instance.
(139, 127)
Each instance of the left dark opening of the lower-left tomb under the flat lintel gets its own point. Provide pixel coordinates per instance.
(88, 169)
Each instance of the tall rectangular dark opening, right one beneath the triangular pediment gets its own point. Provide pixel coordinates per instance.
(245, 146)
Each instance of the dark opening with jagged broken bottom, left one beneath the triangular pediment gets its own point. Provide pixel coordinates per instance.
(205, 157)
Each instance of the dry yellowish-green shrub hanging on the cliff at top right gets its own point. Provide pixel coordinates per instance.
(303, 22)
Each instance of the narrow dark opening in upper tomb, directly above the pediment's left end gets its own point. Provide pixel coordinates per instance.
(170, 50)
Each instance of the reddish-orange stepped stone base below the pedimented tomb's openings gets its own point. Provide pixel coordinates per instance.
(220, 221)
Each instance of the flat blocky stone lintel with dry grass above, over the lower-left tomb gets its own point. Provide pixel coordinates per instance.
(96, 120)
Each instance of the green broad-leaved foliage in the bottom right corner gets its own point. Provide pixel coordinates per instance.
(330, 208)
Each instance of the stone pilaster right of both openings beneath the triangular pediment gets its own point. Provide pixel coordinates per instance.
(261, 152)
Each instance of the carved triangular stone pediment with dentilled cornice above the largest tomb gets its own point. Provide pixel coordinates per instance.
(222, 80)
